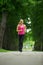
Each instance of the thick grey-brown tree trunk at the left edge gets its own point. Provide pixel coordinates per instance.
(2, 27)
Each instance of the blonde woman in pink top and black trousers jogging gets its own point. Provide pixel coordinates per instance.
(21, 29)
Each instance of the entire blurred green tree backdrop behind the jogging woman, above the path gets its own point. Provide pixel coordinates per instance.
(31, 11)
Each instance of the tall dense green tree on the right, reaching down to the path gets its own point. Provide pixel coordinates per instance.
(37, 25)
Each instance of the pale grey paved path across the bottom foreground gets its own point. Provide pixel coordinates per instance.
(21, 58)
